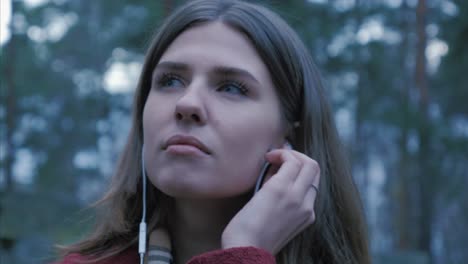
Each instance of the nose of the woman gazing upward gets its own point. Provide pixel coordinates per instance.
(190, 107)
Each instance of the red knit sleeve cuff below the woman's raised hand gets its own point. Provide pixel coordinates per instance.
(243, 255)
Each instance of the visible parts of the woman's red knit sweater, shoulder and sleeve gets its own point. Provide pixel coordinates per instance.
(238, 255)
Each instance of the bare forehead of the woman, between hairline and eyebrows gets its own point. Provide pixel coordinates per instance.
(216, 44)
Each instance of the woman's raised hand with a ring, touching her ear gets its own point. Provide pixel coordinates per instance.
(281, 209)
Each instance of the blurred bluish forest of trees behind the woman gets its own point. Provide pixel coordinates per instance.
(396, 72)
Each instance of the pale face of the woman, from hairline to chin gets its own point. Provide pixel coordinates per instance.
(211, 115)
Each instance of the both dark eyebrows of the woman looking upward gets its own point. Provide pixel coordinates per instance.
(219, 70)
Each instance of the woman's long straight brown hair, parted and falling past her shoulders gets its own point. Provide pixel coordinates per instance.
(339, 232)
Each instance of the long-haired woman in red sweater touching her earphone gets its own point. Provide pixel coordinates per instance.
(227, 87)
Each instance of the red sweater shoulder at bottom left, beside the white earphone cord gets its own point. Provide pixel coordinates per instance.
(128, 256)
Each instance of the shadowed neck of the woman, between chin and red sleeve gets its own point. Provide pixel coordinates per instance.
(199, 224)
